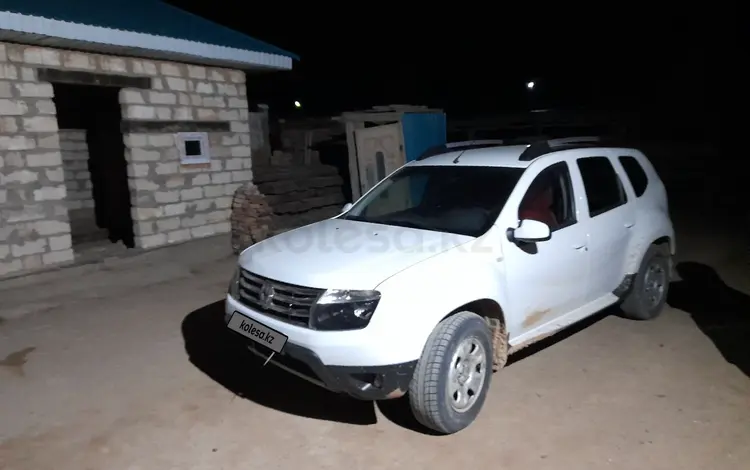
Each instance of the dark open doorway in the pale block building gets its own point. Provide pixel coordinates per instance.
(93, 152)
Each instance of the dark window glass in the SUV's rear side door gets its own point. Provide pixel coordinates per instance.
(604, 189)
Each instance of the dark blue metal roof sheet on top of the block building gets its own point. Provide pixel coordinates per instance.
(142, 16)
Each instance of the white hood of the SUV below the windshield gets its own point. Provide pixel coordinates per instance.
(344, 254)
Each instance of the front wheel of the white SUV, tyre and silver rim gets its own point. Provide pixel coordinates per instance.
(453, 375)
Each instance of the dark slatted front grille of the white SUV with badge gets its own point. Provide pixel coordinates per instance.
(287, 302)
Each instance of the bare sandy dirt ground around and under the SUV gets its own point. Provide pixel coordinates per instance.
(114, 366)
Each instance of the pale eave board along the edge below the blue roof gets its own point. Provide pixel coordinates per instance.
(26, 29)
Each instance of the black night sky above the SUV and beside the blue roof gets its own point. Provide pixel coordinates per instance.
(477, 61)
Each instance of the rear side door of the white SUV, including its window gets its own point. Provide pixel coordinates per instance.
(610, 224)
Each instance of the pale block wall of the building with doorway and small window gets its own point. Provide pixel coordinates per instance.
(171, 202)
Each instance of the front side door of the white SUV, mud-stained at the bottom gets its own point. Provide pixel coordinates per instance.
(547, 279)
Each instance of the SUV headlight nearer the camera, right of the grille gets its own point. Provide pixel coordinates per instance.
(344, 309)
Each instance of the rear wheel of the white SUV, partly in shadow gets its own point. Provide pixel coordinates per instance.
(648, 295)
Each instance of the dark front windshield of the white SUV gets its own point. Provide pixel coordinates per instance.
(455, 199)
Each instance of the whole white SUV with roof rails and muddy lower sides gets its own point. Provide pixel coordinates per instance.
(433, 277)
